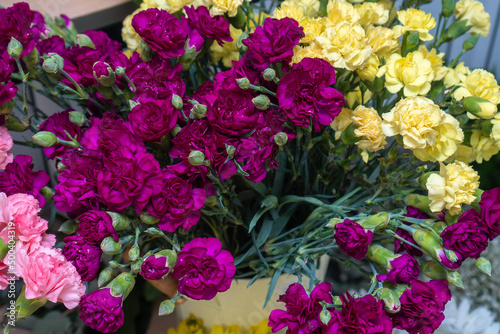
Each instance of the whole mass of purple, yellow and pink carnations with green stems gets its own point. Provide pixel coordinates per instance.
(245, 140)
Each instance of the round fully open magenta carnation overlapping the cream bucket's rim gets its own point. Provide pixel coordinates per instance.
(203, 268)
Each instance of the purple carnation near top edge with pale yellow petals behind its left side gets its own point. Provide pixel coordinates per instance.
(162, 31)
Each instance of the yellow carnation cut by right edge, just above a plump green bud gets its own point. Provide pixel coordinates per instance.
(479, 83)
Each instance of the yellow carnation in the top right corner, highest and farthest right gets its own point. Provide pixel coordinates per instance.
(473, 12)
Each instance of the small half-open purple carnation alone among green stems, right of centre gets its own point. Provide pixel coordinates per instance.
(353, 239)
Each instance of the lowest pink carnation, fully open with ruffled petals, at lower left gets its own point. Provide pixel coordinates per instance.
(48, 275)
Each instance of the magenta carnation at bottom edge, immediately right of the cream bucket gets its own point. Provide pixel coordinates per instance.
(302, 310)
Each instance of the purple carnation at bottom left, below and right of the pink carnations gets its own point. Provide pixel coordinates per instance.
(102, 311)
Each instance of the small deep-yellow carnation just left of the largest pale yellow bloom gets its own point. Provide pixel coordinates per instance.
(368, 127)
